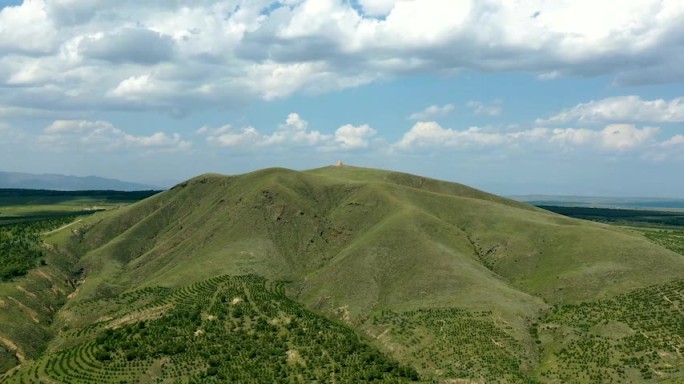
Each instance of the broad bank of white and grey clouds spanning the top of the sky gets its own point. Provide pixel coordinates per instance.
(92, 55)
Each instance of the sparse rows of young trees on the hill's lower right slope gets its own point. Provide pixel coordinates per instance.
(633, 336)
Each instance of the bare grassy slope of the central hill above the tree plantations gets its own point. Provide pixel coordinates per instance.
(355, 242)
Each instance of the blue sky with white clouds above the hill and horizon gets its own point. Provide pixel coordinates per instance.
(565, 97)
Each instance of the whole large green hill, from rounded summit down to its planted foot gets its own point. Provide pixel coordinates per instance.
(448, 280)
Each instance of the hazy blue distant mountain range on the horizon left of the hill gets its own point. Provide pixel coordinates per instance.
(67, 183)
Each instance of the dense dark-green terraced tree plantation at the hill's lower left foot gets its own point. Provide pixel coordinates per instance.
(227, 329)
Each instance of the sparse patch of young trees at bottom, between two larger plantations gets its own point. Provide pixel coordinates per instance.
(458, 343)
